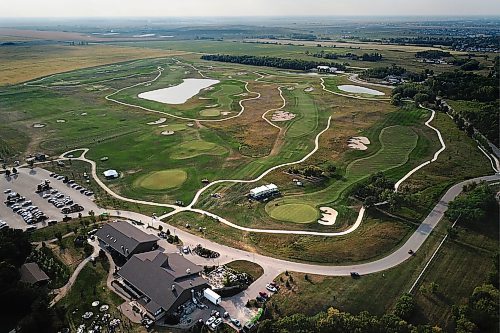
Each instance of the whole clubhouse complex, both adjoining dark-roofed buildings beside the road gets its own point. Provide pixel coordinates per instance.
(158, 282)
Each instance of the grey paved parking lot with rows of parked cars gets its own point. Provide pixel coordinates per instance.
(25, 184)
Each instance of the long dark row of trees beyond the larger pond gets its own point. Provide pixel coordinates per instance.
(296, 64)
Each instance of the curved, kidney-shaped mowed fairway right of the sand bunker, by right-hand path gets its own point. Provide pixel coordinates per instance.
(397, 144)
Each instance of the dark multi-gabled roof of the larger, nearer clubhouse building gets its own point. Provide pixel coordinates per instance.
(153, 273)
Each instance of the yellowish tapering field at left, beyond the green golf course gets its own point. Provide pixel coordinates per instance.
(23, 63)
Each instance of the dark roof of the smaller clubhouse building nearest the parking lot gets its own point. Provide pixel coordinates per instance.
(121, 233)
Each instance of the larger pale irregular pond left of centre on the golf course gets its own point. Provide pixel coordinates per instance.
(180, 93)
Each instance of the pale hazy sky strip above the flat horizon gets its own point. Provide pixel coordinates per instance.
(231, 8)
